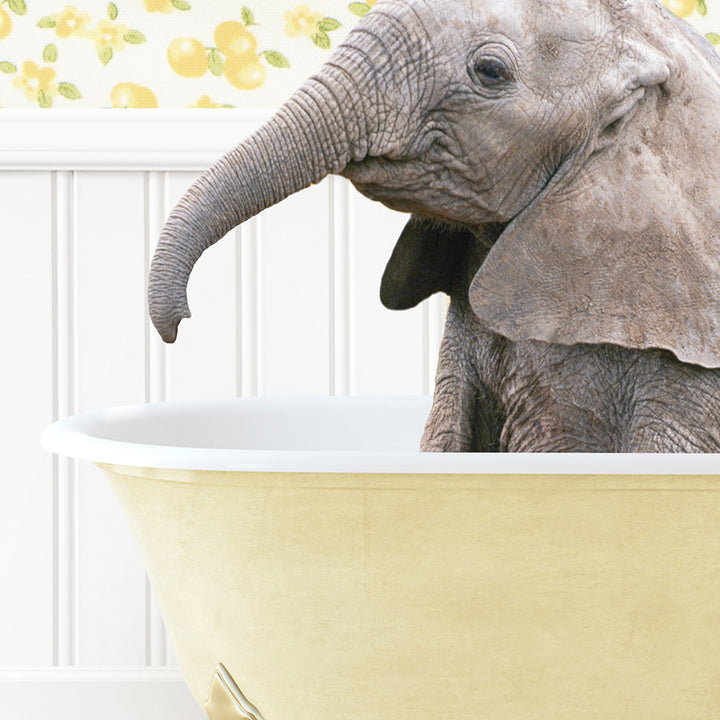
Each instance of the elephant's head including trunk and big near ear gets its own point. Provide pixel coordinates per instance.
(579, 139)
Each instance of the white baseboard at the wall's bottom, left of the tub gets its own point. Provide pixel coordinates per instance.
(87, 694)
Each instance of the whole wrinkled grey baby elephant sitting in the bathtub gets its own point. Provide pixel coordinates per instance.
(567, 153)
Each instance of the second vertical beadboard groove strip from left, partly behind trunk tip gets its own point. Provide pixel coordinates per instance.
(156, 202)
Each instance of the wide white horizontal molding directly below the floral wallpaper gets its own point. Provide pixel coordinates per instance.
(121, 139)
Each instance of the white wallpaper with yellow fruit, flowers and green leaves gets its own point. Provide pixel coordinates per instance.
(186, 53)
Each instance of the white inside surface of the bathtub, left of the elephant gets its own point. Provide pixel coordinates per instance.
(325, 424)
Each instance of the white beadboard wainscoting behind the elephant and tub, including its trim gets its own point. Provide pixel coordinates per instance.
(288, 305)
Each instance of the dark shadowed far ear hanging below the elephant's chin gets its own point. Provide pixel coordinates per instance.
(429, 257)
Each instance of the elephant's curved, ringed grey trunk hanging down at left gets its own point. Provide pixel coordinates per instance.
(305, 141)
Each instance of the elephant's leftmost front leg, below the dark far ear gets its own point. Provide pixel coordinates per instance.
(466, 415)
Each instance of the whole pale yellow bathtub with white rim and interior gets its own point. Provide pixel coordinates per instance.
(311, 565)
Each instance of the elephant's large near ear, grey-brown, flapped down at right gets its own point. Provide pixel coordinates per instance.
(625, 250)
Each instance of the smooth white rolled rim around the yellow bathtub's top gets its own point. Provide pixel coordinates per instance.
(81, 436)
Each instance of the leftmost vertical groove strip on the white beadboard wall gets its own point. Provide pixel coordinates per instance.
(65, 483)
